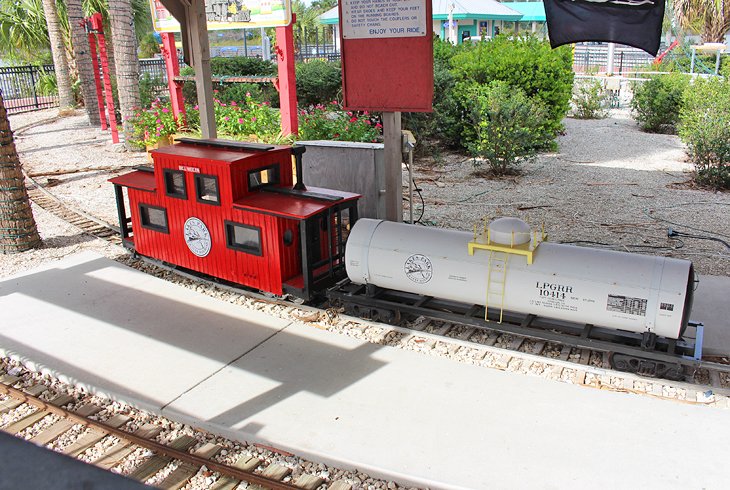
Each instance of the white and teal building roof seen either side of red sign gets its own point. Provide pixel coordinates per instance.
(463, 9)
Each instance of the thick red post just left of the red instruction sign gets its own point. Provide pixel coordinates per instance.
(287, 78)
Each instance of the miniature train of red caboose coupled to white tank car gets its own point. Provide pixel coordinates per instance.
(232, 211)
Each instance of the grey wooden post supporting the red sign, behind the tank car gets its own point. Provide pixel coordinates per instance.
(393, 173)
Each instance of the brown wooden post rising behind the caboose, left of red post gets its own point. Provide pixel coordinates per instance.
(198, 30)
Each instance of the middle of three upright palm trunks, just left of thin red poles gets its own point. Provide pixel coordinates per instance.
(81, 48)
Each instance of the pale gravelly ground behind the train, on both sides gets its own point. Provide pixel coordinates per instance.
(609, 185)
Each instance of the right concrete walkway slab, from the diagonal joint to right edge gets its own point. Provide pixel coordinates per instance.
(436, 423)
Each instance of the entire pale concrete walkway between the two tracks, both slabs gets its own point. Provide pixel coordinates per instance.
(396, 414)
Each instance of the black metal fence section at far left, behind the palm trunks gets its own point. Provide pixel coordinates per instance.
(20, 88)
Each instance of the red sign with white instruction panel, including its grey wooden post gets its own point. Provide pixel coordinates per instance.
(387, 65)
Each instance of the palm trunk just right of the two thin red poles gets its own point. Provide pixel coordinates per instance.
(125, 61)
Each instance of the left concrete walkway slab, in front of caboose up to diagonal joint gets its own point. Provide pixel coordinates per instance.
(106, 325)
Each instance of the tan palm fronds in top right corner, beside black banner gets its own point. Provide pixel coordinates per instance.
(711, 18)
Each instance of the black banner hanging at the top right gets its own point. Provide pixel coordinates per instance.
(635, 23)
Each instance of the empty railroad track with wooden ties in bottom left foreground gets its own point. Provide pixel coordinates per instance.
(45, 421)
